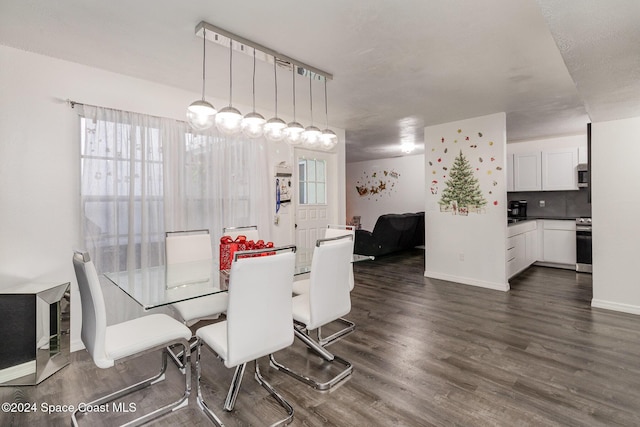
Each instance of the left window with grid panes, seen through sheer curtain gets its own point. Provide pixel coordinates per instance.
(122, 190)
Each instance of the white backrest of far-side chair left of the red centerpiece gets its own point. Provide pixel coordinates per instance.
(185, 246)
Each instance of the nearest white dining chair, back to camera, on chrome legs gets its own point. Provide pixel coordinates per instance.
(259, 322)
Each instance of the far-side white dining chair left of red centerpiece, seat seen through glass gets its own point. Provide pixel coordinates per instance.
(194, 245)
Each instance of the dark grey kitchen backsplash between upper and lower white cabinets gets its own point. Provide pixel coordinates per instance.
(570, 204)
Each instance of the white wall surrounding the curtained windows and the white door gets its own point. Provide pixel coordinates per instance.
(39, 159)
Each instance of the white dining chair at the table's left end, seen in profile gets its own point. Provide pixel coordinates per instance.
(110, 344)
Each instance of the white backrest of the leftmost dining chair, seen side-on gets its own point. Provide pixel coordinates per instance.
(94, 317)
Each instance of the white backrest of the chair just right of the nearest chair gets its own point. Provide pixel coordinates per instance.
(329, 297)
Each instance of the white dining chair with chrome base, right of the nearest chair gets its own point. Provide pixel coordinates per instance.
(328, 299)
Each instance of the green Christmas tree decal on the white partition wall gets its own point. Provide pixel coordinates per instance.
(462, 193)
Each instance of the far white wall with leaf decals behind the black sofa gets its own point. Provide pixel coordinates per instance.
(400, 195)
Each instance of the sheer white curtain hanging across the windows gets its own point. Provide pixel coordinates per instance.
(143, 175)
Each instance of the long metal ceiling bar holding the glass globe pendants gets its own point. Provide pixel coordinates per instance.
(223, 37)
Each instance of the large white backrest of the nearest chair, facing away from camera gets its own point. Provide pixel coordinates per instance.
(259, 315)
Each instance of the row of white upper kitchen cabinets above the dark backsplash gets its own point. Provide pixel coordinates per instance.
(545, 165)
